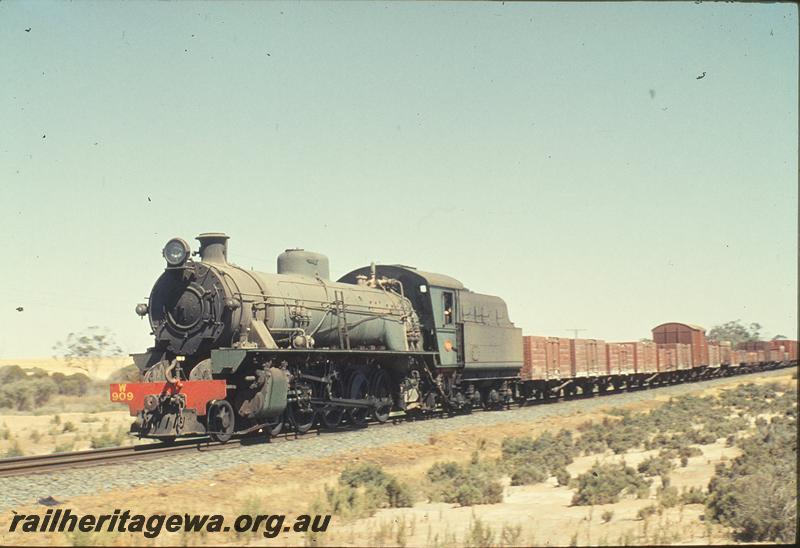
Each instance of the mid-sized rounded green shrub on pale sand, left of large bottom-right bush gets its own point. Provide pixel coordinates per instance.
(604, 483)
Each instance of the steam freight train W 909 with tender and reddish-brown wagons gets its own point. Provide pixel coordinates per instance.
(239, 352)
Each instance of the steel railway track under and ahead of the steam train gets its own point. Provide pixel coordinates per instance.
(18, 466)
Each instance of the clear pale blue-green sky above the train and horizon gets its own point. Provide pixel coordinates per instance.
(563, 156)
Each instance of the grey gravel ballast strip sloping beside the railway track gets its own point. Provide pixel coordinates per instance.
(63, 485)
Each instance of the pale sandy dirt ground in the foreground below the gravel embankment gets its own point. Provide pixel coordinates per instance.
(542, 512)
